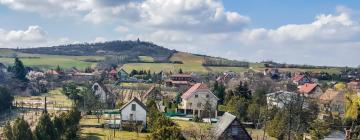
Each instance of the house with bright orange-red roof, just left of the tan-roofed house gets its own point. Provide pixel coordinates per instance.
(311, 90)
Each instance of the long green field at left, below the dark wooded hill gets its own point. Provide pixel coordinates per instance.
(51, 61)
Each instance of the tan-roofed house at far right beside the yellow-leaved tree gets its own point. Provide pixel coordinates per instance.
(333, 101)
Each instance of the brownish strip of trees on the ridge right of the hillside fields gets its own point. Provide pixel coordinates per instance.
(221, 62)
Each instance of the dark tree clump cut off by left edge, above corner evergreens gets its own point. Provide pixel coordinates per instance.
(6, 99)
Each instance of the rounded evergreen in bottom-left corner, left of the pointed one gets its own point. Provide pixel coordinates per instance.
(21, 130)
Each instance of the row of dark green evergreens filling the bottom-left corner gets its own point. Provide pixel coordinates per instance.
(65, 126)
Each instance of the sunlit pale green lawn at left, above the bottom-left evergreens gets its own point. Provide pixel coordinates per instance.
(52, 95)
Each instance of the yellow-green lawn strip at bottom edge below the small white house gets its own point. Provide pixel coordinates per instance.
(104, 134)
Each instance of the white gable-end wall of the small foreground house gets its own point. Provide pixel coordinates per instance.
(139, 114)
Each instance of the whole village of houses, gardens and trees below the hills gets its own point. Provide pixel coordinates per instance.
(140, 104)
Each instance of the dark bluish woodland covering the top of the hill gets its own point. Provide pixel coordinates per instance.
(137, 48)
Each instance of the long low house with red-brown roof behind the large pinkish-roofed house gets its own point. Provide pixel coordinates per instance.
(179, 80)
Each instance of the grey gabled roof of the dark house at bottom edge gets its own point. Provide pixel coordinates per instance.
(225, 121)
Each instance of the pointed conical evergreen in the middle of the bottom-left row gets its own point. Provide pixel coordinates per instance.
(45, 129)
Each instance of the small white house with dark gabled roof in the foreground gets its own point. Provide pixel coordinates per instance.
(133, 111)
